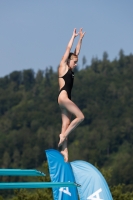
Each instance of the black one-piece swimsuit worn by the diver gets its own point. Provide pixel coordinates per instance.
(68, 78)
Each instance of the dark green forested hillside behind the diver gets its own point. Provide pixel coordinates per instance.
(30, 123)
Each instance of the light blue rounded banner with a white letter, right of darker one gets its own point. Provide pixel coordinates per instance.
(93, 184)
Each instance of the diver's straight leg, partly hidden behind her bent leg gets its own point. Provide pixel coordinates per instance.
(66, 117)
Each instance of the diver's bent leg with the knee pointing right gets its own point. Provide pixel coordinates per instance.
(71, 108)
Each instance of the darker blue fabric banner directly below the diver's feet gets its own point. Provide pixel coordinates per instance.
(61, 172)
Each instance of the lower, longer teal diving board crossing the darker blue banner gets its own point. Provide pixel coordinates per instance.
(31, 185)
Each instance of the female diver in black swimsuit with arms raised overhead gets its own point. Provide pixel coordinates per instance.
(66, 77)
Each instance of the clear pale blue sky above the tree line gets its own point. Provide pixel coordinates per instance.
(34, 33)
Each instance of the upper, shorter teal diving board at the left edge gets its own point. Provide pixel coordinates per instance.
(20, 172)
